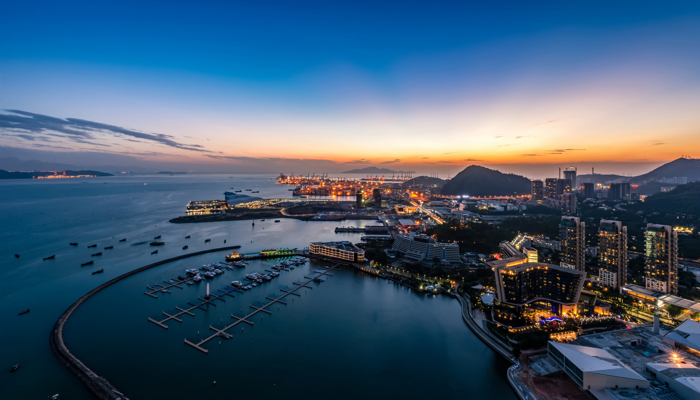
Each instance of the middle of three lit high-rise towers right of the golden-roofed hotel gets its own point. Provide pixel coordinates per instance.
(612, 253)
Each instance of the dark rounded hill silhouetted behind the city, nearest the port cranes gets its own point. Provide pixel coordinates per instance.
(479, 181)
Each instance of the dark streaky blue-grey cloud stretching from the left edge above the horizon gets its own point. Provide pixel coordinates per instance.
(78, 130)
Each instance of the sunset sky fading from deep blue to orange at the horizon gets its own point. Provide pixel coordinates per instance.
(331, 86)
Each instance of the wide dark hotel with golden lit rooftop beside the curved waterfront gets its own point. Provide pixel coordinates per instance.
(525, 290)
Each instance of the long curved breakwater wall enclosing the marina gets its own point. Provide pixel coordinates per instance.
(98, 385)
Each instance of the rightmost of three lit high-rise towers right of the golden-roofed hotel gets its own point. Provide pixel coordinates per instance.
(661, 253)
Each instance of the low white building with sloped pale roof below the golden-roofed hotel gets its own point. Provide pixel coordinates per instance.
(594, 369)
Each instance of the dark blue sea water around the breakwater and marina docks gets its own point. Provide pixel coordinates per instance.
(353, 335)
